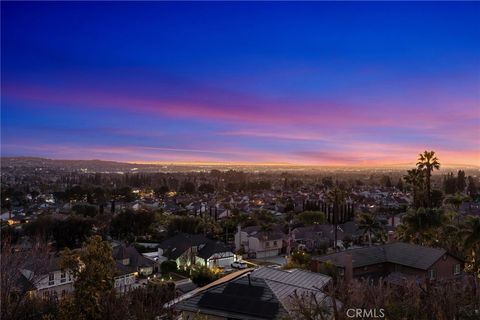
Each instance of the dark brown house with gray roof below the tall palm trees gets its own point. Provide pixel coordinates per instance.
(398, 258)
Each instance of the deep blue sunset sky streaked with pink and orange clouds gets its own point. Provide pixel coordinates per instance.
(353, 84)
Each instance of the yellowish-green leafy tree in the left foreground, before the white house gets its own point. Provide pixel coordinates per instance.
(93, 270)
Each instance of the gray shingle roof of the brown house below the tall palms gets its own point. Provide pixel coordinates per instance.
(406, 254)
